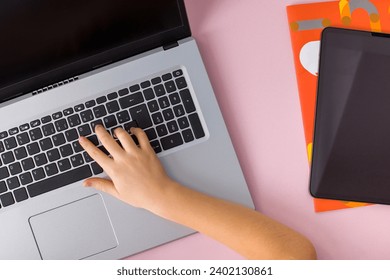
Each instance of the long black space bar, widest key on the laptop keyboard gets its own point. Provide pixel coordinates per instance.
(59, 181)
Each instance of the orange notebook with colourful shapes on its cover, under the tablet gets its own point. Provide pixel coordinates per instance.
(306, 24)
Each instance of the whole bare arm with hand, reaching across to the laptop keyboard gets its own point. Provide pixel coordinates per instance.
(246, 231)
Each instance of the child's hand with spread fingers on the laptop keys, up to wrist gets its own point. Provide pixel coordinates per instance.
(137, 176)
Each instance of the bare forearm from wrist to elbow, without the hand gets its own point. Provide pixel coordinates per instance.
(246, 231)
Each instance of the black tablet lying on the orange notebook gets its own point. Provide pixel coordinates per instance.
(351, 149)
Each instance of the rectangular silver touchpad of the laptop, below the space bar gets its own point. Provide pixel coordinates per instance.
(74, 231)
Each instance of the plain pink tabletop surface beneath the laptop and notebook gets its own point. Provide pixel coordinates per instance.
(247, 52)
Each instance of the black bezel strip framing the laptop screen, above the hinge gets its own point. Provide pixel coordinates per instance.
(94, 62)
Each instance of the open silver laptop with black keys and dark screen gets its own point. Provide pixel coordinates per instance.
(67, 66)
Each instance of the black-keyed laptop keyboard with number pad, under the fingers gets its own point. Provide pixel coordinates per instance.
(44, 154)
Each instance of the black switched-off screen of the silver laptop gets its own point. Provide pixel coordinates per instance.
(40, 36)
